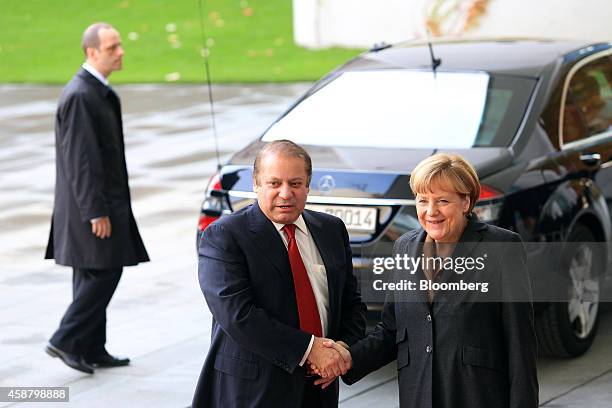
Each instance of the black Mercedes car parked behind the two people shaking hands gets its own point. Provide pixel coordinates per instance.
(533, 116)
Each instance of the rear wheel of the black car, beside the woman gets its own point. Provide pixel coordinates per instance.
(567, 329)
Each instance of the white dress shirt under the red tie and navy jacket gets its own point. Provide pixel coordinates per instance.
(315, 270)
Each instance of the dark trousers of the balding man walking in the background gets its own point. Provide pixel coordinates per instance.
(82, 330)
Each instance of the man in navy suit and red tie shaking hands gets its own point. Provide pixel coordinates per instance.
(277, 279)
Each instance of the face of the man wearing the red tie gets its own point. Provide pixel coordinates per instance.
(281, 187)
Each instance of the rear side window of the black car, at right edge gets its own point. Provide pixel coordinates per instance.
(588, 103)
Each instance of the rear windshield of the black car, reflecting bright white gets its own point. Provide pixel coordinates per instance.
(408, 109)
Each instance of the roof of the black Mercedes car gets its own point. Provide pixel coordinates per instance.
(525, 57)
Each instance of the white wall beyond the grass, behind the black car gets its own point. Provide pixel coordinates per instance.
(361, 23)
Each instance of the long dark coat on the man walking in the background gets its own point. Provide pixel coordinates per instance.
(91, 180)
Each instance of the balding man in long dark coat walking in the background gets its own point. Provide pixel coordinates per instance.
(93, 229)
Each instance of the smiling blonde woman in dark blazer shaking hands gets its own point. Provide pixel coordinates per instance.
(456, 349)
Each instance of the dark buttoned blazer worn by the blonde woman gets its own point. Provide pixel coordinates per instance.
(459, 354)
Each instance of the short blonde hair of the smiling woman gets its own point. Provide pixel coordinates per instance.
(448, 171)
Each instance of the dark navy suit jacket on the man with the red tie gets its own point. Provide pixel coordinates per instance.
(256, 344)
